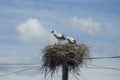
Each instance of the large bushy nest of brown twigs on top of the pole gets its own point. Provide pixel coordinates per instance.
(71, 55)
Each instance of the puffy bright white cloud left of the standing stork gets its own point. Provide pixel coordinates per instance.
(32, 31)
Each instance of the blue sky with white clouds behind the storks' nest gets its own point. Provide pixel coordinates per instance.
(25, 27)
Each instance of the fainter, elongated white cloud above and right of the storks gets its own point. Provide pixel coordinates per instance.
(88, 25)
